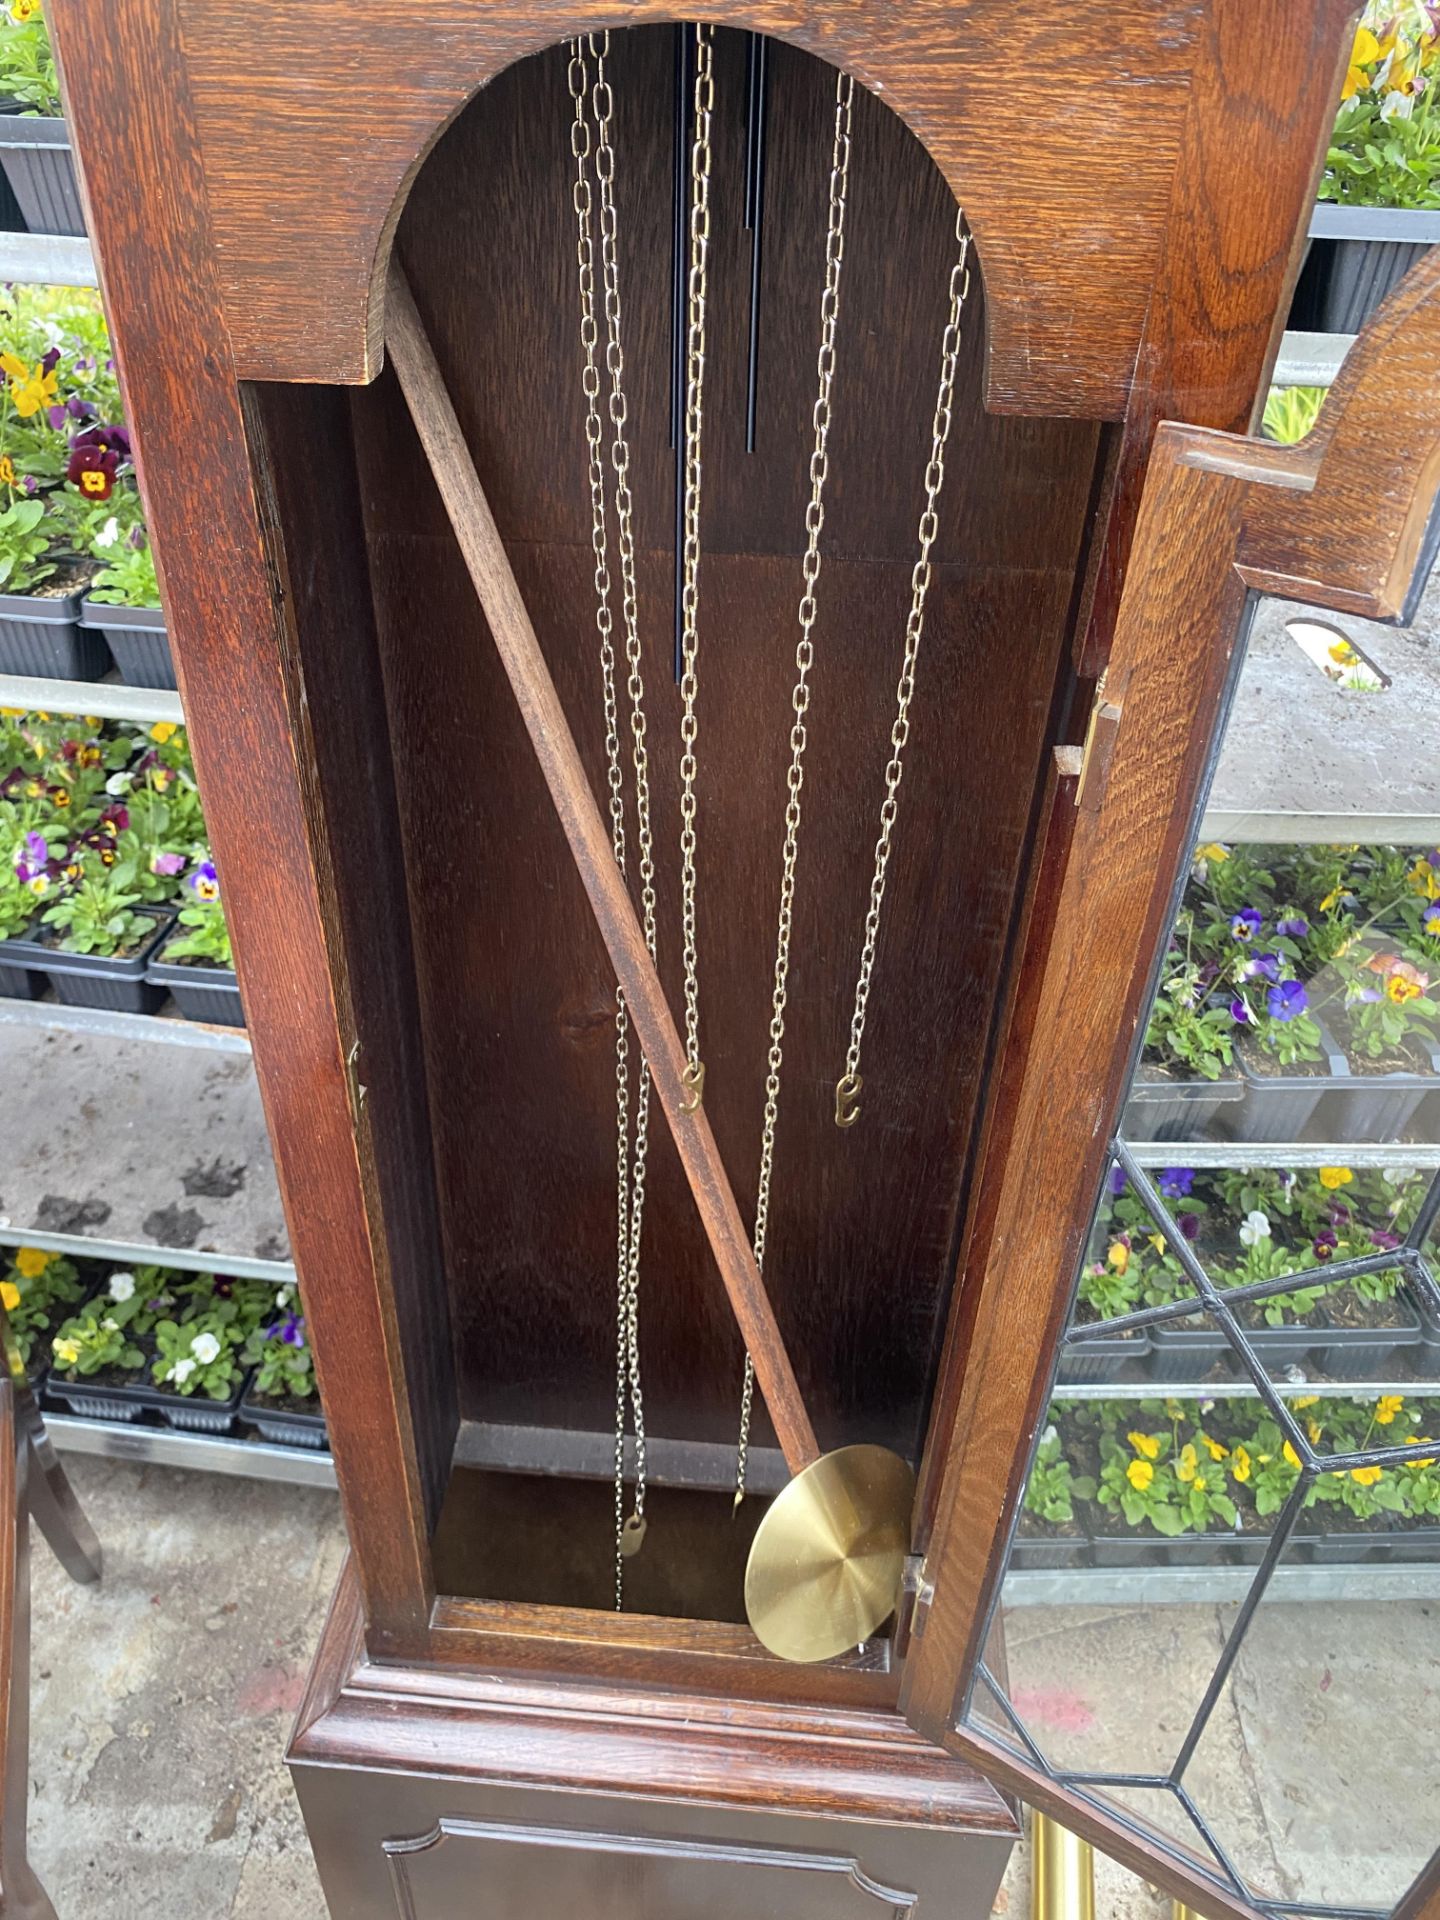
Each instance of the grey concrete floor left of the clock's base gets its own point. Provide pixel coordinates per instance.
(162, 1698)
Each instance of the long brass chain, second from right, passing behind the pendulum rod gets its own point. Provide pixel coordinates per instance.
(815, 519)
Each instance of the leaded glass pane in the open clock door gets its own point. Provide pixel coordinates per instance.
(1220, 1595)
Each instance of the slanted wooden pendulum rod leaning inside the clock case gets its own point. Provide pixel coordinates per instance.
(590, 848)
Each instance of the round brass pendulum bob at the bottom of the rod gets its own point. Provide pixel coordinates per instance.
(828, 1558)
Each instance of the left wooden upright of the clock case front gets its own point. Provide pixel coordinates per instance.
(245, 700)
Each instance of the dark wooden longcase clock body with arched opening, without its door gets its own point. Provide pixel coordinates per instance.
(429, 992)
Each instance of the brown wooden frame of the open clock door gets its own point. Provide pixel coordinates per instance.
(1345, 521)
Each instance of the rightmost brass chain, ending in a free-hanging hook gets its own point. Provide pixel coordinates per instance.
(848, 1090)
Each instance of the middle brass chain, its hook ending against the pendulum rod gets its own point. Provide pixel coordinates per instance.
(690, 552)
